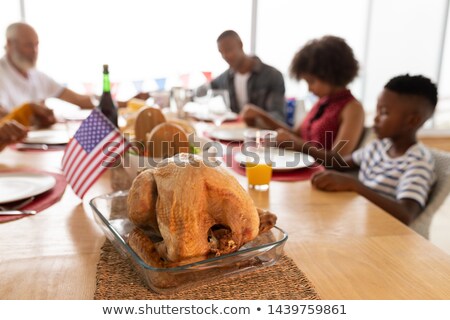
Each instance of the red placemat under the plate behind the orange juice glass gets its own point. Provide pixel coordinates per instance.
(294, 175)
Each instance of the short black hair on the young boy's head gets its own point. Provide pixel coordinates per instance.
(414, 85)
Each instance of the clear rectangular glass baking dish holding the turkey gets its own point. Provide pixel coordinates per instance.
(110, 212)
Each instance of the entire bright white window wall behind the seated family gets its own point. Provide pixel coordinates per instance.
(152, 44)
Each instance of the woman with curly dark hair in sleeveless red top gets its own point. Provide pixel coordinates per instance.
(336, 121)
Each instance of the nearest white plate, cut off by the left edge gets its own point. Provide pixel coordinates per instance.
(18, 186)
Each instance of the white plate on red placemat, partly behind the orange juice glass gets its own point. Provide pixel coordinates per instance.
(282, 159)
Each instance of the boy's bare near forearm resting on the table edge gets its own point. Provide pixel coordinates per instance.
(405, 210)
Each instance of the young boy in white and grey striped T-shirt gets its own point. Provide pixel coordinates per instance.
(395, 171)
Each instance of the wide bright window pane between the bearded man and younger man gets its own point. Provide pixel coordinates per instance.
(140, 40)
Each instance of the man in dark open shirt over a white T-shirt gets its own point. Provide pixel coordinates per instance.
(248, 80)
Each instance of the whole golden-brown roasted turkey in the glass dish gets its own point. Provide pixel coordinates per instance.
(196, 211)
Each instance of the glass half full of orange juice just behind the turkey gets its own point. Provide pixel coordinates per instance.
(257, 146)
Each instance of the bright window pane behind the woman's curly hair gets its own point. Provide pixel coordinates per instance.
(284, 26)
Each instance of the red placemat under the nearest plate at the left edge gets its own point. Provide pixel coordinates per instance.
(42, 201)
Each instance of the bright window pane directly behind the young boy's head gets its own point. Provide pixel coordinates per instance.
(405, 37)
